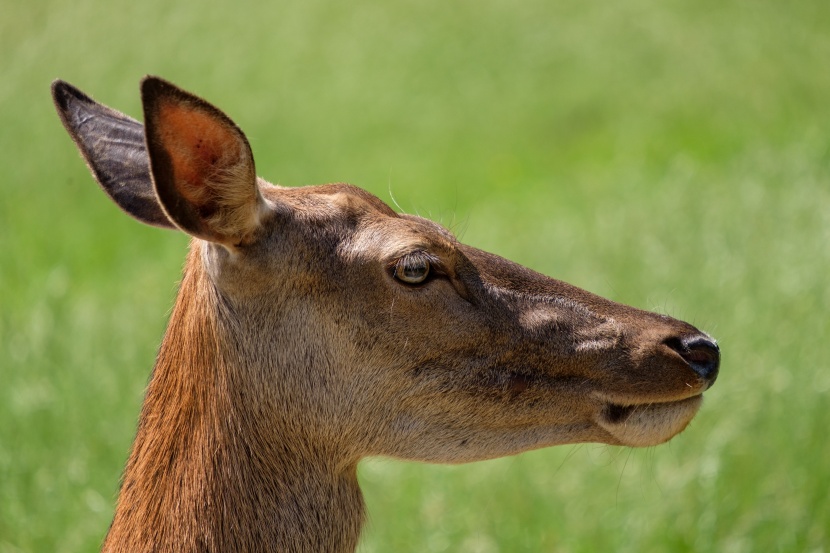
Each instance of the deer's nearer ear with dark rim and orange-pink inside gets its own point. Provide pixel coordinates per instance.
(201, 164)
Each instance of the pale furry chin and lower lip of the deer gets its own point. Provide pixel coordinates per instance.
(647, 424)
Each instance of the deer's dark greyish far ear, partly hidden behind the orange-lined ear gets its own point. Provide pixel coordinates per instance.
(113, 146)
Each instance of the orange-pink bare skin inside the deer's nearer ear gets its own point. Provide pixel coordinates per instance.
(200, 147)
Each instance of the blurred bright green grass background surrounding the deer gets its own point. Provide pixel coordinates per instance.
(673, 155)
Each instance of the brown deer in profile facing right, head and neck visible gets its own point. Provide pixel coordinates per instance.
(315, 326)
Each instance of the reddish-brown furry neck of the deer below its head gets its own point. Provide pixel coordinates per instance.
(205, 473)
